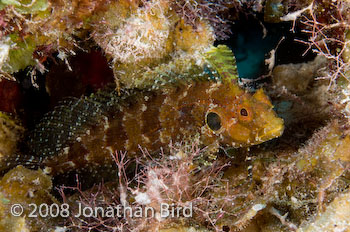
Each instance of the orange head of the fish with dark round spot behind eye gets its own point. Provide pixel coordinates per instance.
(243, 120)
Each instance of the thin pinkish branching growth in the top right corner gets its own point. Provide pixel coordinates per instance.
(327, 34)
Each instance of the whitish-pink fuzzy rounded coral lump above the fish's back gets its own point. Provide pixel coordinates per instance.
(143, 36)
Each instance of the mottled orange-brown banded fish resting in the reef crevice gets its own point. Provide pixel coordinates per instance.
(86, 131)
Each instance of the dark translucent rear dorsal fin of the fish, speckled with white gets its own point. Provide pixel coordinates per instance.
(68, 121)
